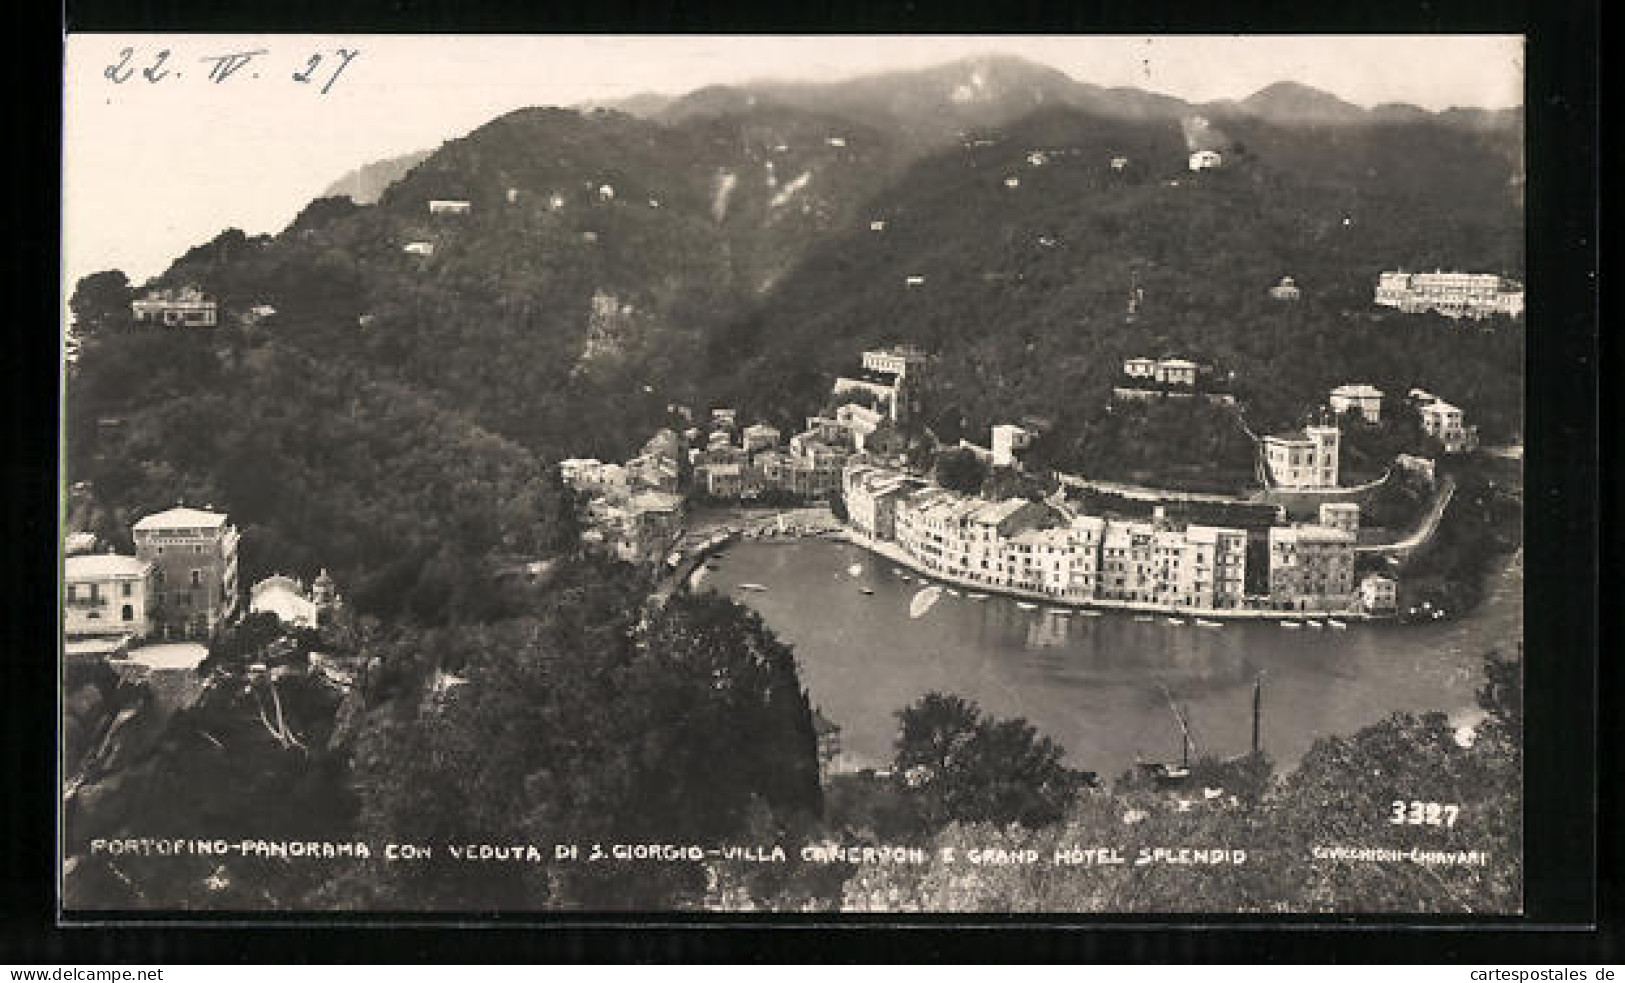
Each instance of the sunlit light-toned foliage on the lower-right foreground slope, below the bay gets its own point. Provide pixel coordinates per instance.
(1345, 794)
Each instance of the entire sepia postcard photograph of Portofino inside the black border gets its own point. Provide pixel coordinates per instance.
(826, 475)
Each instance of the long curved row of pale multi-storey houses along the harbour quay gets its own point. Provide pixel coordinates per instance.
(1054, 552)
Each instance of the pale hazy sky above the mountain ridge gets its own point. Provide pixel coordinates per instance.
(152, 168)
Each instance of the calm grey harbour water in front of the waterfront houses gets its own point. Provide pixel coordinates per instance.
(1093, 683)
